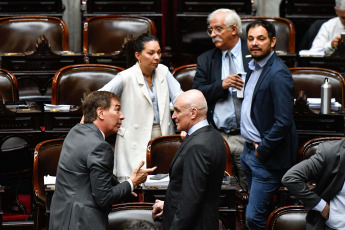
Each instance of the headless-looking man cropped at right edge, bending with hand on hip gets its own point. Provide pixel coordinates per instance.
(327, 202)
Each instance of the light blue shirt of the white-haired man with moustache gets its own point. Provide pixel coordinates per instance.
(224, 111)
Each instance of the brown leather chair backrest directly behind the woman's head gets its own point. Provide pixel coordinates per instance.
(107, 34)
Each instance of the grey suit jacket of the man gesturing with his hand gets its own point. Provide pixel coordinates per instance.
(85, 185)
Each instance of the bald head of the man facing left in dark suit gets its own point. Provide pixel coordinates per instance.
(190, 108)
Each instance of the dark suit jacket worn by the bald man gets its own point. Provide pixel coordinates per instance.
(196, 172)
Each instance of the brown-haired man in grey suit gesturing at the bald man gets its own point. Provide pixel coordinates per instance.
(85, 185)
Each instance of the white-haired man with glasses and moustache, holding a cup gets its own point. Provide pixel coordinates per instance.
(216, 77)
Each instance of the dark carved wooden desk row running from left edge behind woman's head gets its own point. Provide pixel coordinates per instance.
(35, 70)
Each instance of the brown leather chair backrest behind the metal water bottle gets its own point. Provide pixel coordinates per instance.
(310, 79)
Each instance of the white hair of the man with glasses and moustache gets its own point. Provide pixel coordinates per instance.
(231, 18)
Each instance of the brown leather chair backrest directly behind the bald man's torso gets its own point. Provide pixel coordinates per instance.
(161, 151)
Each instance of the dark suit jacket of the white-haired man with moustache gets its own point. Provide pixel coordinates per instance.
(208, 76)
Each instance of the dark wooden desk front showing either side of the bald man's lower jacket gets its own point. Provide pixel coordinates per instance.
(227, 207)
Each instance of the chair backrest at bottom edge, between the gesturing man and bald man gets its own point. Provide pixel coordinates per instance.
(137, 215)
